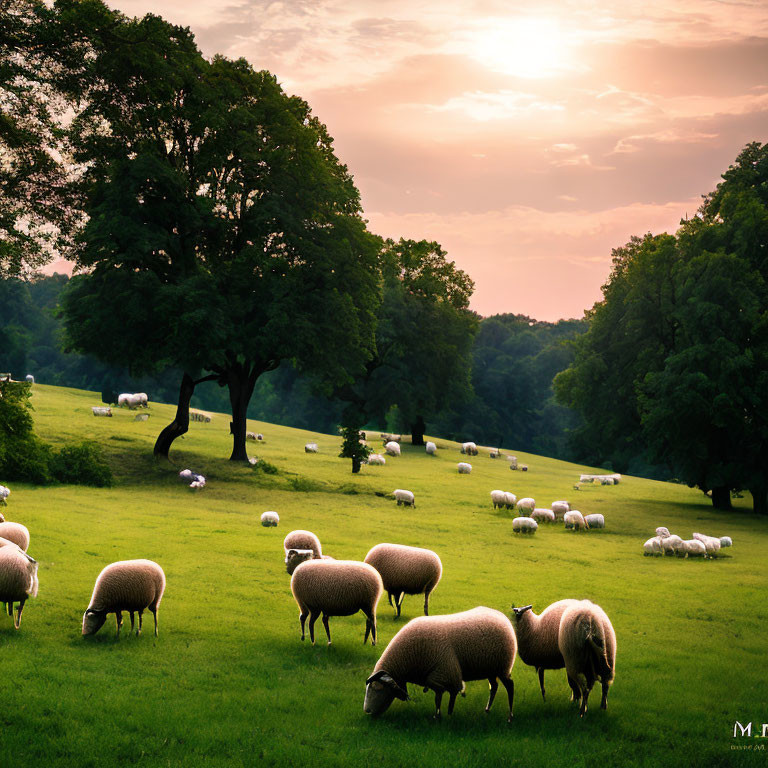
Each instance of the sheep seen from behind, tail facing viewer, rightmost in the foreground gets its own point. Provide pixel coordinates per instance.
(588, 644)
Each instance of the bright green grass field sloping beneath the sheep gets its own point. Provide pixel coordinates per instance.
(228, 682)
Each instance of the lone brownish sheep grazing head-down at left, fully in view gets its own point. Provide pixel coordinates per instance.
(127, 585)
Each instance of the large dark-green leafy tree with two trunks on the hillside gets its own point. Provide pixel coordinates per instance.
(223, 234)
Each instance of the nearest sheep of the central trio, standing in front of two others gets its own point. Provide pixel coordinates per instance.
(336, 588)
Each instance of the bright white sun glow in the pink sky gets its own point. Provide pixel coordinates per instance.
(526, 47)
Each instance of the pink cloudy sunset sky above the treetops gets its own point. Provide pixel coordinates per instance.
(527, 138)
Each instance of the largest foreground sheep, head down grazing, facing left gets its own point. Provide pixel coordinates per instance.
(441, 653)
